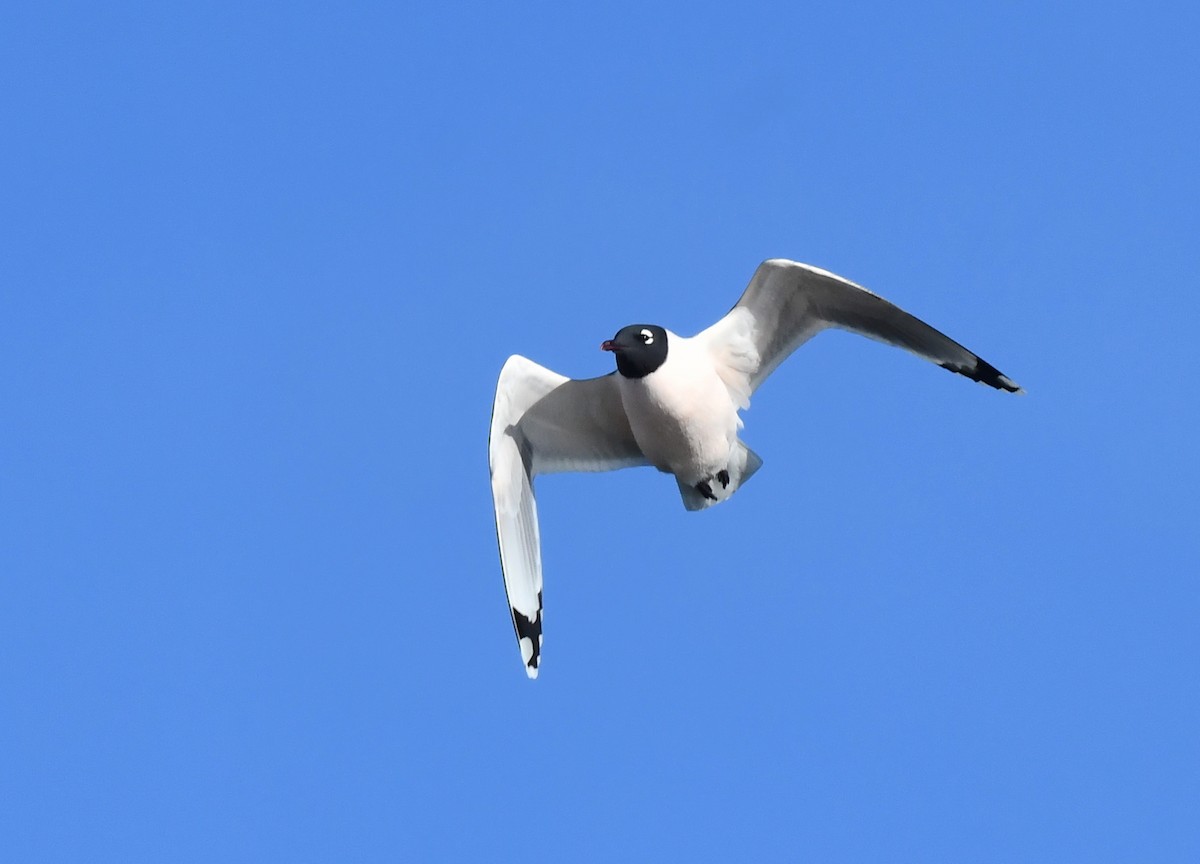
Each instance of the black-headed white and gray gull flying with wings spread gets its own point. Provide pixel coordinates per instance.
(674, 404)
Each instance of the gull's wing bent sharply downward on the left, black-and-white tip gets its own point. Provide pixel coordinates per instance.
(544, 423)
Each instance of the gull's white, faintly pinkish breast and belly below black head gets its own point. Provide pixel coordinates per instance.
(682, 415)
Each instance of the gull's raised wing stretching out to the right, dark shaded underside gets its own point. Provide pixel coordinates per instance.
(789, 303)
